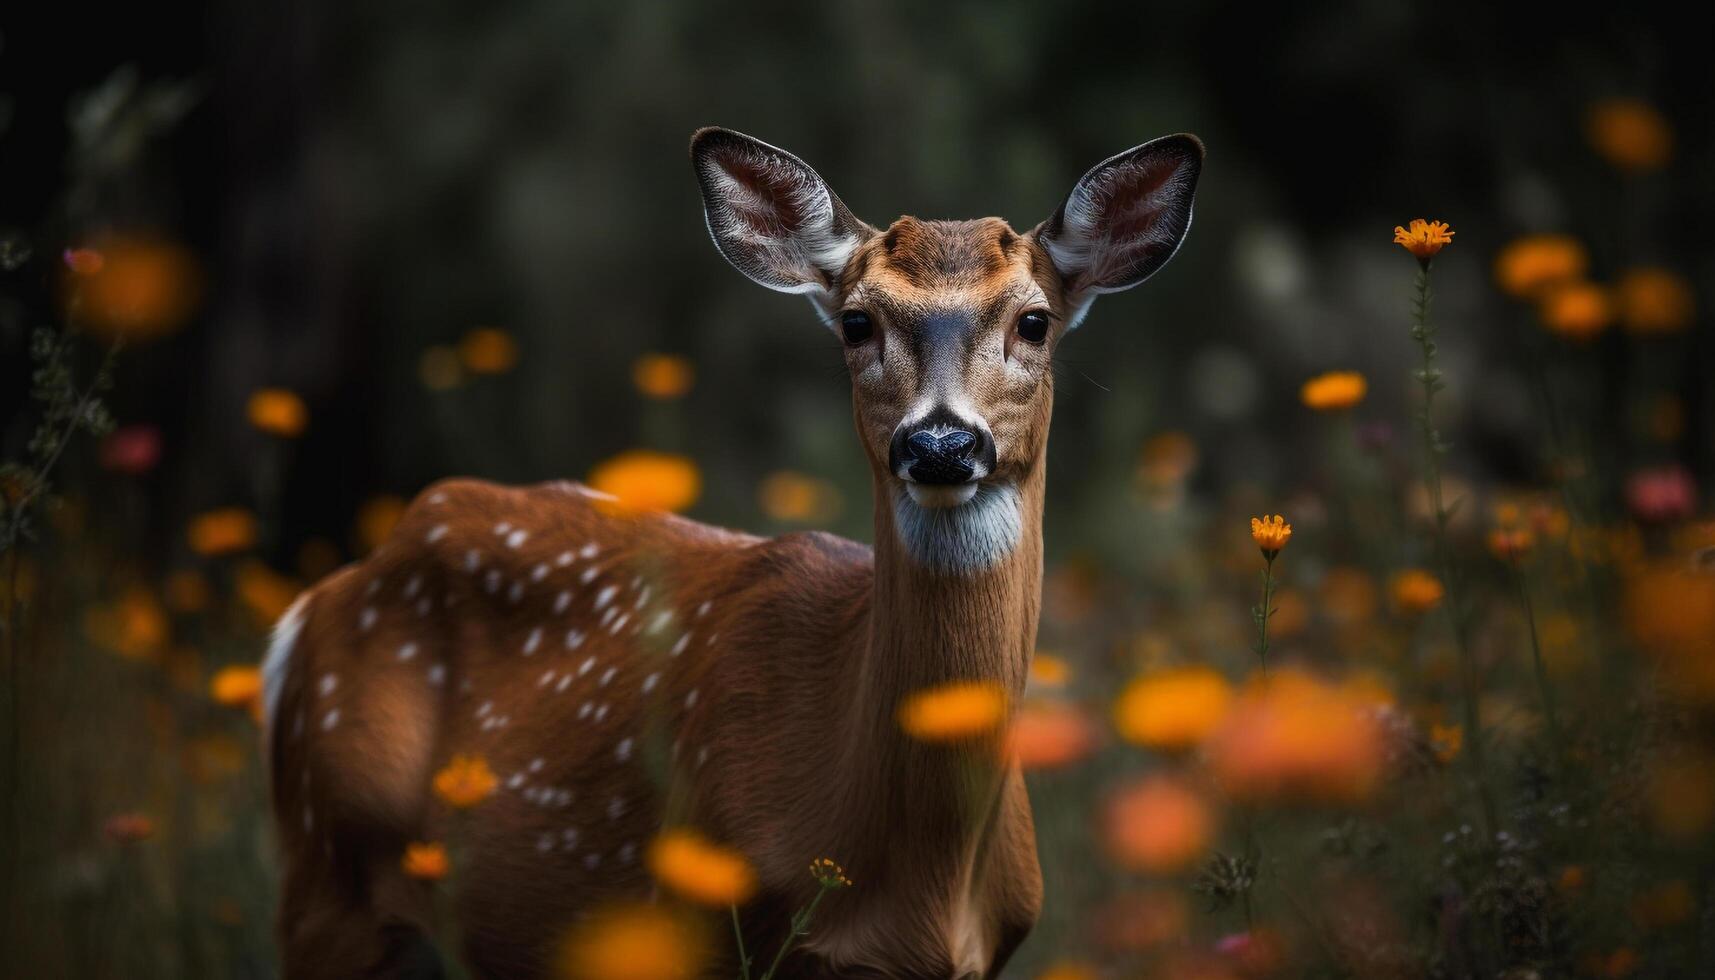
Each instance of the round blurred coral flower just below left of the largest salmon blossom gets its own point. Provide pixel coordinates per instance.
(1158, 826)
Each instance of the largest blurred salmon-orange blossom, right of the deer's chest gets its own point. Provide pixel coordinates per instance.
(1294, 737)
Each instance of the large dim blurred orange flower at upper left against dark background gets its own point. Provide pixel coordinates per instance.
(138, 287)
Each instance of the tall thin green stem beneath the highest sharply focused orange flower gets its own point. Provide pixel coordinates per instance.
(1429, 377)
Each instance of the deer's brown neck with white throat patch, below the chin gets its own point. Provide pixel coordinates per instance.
(956, 600)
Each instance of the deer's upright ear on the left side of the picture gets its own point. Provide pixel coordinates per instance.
(771, 215)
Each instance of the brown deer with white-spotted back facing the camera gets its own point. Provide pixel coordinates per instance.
(625, 670)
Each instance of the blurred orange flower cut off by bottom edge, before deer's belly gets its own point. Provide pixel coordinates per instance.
(635, 943)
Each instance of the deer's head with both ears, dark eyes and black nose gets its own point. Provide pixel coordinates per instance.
(949, 327)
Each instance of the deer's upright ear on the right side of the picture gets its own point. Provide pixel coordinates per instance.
(1126, 219)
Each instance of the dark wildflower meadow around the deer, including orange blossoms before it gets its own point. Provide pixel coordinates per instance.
(1378, 629)
